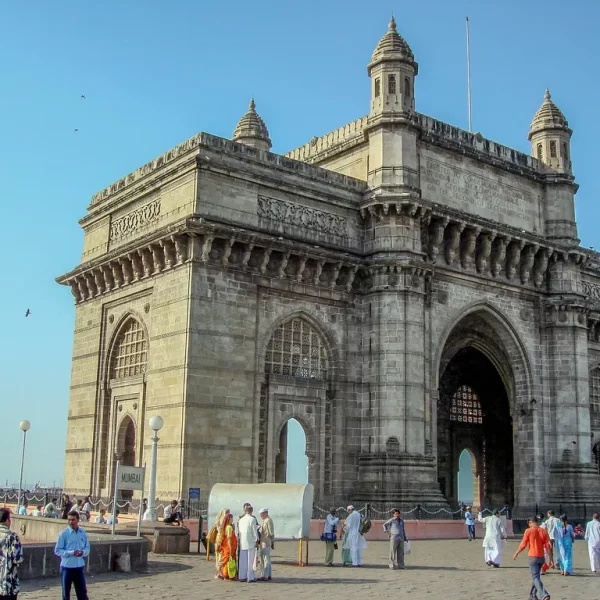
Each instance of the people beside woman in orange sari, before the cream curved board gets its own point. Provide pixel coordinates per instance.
(243, 549)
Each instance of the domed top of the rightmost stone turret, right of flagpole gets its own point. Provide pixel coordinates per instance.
(550, 137)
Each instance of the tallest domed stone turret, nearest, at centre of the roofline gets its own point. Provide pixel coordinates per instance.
(393, 163)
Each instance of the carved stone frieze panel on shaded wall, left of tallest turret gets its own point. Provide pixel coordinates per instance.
(273, 209)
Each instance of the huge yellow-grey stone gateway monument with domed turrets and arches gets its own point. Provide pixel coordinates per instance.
(404, 289)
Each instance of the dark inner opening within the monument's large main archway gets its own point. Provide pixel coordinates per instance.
(474, 413)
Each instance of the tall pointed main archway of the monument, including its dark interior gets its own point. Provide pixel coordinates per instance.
(483, 378)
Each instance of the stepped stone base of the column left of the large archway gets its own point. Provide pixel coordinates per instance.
(407, 480)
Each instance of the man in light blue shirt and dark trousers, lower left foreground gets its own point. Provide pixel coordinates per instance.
(73, 547)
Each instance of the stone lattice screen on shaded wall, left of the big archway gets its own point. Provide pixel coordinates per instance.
(297, 350)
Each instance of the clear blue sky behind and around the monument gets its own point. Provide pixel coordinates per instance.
(155, 73)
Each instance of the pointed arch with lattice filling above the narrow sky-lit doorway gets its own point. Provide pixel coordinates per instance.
(297, 346)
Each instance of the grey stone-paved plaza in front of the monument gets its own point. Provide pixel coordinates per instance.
(444, 569)
